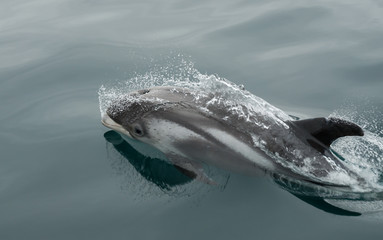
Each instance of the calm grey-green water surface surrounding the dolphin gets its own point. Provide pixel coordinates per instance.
(61, 179)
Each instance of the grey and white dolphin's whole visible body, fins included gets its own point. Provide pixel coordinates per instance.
(171, 120)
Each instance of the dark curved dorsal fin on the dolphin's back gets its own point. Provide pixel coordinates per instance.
(327, 130)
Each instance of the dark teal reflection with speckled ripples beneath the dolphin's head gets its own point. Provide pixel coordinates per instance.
(154, 168)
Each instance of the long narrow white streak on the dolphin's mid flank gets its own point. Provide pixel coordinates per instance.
(240, 147)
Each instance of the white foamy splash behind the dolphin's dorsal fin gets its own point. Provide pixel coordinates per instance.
(363, 155)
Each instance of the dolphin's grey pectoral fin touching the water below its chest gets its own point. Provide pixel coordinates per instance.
(190, 168)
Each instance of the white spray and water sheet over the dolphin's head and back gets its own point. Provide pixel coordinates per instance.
(182, 73)
